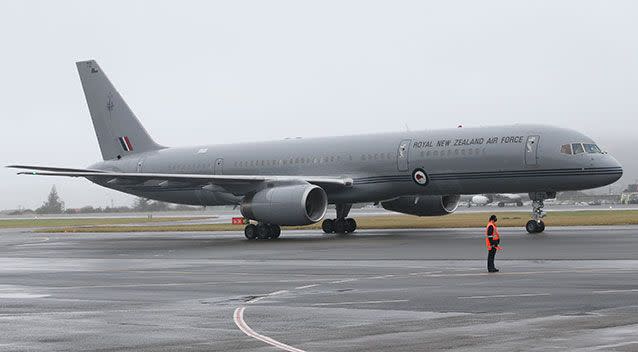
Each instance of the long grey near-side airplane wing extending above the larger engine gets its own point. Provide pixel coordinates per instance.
(237, 184)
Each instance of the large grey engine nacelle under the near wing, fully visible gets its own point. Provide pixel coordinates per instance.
(292, 205)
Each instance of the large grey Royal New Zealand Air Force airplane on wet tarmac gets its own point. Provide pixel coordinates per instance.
(292, 181)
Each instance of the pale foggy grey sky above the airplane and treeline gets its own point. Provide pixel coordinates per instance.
(232, 71)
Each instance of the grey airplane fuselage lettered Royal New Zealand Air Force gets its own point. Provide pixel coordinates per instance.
(501, 159)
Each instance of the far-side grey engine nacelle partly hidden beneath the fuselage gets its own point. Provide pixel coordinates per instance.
(424, 205)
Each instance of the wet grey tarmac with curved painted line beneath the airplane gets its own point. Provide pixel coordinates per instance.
(402, 290)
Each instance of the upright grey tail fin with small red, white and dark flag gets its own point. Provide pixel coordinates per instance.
(118, 131)
